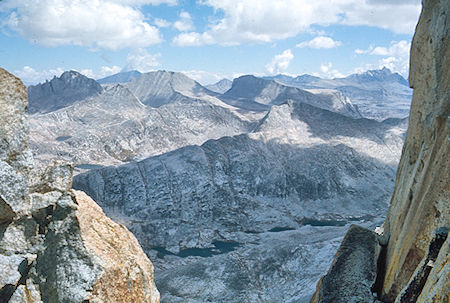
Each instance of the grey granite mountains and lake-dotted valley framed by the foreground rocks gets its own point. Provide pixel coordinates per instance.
(243, 194)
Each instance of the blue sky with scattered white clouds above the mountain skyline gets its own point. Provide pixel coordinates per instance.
(207, 40)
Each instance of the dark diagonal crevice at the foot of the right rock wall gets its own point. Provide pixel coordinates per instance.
(414, 289)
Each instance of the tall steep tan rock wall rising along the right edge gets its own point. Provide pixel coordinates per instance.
(421, 197)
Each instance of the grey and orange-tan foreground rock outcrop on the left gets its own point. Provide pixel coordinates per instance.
(56, 245)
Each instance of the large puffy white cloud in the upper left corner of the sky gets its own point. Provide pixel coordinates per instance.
(103, 24)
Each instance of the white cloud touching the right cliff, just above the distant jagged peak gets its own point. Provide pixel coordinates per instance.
(396, 56)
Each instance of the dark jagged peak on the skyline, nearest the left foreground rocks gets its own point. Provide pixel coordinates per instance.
(70, 87)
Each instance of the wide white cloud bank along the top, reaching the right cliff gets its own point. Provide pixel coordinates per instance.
(244, 21)
